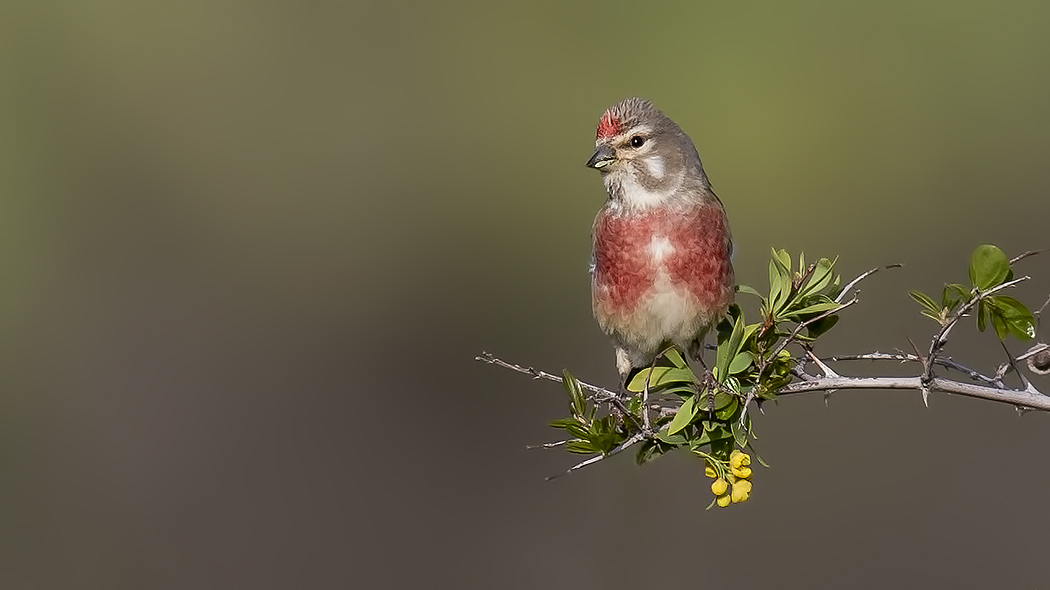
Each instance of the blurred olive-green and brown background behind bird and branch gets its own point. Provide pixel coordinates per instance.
(250, 250)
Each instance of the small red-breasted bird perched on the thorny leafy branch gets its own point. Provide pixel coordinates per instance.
(661, 270)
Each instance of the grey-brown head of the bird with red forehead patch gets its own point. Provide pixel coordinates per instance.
(644, 157)
